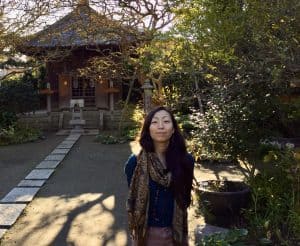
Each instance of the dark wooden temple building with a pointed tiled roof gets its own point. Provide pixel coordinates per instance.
(66, 47)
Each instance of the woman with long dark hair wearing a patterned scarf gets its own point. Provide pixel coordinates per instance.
(160, 182)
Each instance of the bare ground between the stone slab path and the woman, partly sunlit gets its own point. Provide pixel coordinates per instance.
(83, 203)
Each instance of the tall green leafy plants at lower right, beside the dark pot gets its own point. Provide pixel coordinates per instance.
(275, 210)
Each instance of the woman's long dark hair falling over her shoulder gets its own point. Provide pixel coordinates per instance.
(178, 161)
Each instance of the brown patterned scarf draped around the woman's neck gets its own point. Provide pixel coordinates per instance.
(138, 199)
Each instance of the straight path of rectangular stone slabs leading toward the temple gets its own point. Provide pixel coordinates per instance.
(13, 204)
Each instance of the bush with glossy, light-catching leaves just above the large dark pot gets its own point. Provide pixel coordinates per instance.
(236, 118)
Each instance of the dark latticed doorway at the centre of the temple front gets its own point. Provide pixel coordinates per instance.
(84, 88)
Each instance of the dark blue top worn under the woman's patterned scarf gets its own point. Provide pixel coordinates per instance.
(161, 202)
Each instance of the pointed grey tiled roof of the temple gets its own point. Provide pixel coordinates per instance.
(82, 27)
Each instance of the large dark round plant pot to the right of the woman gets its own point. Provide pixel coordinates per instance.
(221, 201)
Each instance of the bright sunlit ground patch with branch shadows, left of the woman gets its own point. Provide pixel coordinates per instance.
(82, 220)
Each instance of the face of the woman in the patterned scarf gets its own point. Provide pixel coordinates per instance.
(161, 127)
